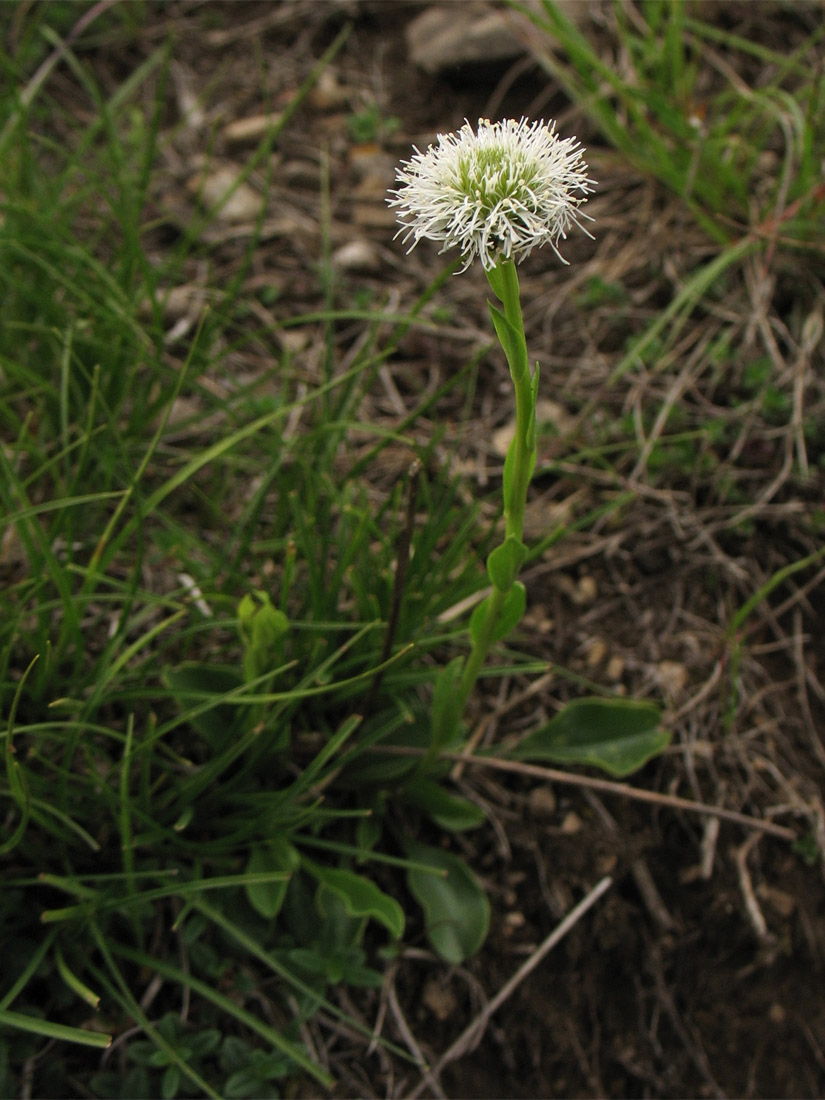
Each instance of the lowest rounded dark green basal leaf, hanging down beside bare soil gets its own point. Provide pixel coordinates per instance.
(456, 907)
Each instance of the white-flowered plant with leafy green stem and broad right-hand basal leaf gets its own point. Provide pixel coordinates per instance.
(497, 193)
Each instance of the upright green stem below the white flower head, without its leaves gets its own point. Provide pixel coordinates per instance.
(504, 282)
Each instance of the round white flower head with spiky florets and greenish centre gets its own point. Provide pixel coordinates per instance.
(498, 193)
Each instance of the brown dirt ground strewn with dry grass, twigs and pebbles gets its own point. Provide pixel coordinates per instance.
(700, 972)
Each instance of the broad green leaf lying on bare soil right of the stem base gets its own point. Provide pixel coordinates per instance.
(617, 735)
